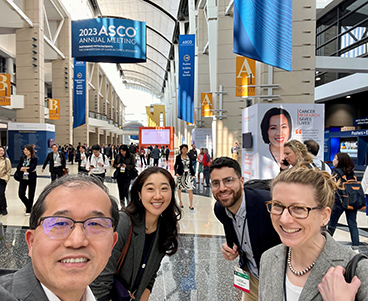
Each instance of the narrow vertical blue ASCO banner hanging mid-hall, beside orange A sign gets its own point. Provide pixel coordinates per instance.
(186, 77)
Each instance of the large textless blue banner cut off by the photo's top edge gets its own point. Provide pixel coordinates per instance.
(263, 31)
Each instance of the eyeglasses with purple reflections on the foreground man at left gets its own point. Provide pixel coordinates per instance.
(59, 227)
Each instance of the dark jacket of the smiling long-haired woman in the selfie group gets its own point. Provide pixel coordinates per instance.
(102, 286)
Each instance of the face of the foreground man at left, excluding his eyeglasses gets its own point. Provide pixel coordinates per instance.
(72, 263)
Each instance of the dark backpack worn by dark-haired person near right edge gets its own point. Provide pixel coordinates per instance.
(352, 194)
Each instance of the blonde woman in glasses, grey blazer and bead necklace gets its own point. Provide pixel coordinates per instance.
(309, 264)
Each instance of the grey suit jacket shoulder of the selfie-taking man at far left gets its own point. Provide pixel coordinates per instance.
(21, 285)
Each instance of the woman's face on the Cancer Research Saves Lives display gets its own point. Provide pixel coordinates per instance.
(278, 130)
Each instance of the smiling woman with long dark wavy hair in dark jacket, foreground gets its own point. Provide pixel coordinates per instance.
(154, 215)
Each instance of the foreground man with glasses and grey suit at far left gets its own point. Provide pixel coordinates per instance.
(71, 236)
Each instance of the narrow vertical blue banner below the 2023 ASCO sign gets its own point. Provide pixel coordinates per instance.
(79, 109)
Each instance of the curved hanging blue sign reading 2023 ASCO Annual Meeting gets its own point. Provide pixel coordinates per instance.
(112, 40)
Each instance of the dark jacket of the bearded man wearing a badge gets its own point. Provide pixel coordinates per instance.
(261, 232)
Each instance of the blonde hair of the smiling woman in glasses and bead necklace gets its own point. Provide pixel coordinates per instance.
(322, 182)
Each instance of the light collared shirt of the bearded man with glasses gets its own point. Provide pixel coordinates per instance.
(238, 223)
